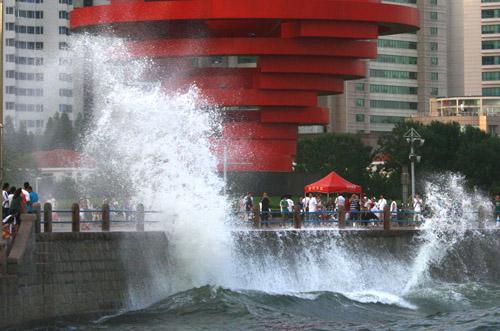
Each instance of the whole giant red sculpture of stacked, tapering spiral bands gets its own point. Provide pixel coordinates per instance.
(304, 49)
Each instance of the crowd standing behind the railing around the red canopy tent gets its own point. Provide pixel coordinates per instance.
(320, 207)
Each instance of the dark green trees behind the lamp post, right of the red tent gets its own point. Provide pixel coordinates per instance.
(448, 147)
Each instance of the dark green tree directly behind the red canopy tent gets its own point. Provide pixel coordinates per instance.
(343, 153)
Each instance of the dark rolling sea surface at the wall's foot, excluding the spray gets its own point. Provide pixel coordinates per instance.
(440, 306)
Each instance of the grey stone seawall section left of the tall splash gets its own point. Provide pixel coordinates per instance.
(62, 274)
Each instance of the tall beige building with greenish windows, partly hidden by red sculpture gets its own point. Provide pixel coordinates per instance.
(409, 69)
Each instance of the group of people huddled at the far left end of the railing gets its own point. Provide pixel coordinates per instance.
(15, 201)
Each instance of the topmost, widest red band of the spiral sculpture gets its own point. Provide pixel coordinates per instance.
(354, 11)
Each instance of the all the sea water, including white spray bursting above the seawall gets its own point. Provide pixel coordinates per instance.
(159, 142)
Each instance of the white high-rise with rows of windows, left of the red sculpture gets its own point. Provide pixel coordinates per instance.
(37, 73)
